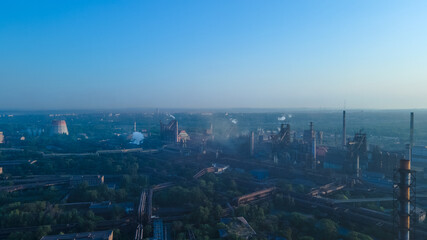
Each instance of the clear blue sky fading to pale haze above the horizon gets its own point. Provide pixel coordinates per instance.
(82, 54)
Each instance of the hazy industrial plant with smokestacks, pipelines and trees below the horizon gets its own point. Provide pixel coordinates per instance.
(231, 172)
